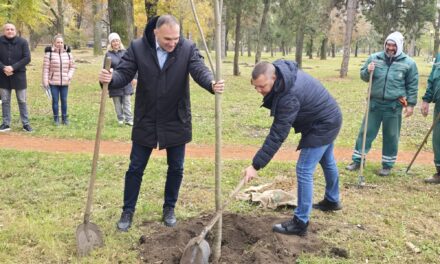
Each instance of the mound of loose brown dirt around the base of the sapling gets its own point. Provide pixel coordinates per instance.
(246, 239)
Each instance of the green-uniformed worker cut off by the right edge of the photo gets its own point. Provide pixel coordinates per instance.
(432, 95)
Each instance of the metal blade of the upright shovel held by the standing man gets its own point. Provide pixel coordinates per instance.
(88, 236)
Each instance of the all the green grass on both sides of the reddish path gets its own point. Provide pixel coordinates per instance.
(43, 195)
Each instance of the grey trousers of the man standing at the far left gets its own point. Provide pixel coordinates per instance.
(6, 105)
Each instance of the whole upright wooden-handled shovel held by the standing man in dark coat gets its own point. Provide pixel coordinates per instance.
(88, 235)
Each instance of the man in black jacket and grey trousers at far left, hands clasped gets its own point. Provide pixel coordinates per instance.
(14, 56)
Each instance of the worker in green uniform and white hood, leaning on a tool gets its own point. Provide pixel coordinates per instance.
(394, 87)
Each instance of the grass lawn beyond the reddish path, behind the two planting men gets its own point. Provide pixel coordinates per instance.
(244, 122)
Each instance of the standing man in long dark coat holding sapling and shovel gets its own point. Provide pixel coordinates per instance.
(162, 112)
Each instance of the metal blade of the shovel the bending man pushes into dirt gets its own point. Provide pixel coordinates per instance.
(196, 253)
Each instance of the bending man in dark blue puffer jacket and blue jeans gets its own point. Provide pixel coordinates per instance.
(297, 100)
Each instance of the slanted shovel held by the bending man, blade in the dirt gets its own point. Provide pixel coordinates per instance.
(197, 251)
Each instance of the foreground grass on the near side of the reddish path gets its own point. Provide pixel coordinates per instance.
(43, 198)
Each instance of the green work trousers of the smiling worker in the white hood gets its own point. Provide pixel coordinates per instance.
(389, 114)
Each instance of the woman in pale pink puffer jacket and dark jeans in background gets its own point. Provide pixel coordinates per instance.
(58, 69)
